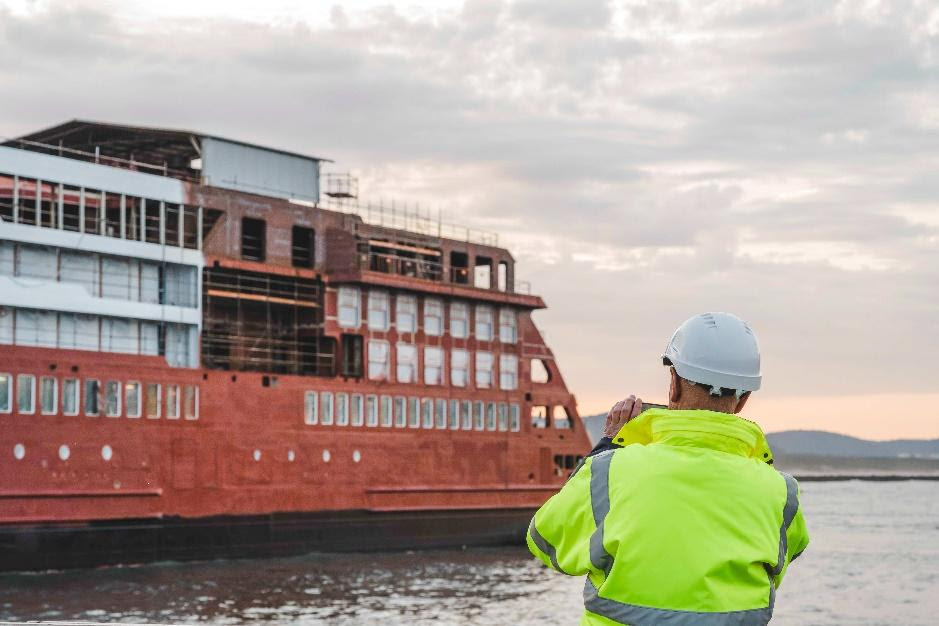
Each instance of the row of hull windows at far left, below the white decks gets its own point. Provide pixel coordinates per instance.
(113, 398)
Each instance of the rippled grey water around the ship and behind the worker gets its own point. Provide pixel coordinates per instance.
(874, 559)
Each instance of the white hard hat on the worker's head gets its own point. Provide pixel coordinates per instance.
(718, 350)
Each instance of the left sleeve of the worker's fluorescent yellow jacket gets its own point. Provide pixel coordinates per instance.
(559, 533)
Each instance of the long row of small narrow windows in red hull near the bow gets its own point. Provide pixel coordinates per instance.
(356, 409)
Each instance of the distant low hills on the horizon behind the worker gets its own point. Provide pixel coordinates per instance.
(821, 443)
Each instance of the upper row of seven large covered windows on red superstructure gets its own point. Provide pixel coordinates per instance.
(406, 316)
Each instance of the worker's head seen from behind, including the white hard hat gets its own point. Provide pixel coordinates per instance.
(714, 363)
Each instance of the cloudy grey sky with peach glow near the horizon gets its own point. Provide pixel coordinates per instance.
(643, 161)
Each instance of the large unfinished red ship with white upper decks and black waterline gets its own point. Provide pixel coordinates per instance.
(209, 348)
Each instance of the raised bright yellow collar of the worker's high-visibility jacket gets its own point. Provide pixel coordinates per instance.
(697, 428)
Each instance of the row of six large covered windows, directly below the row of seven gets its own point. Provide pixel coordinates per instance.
(406, 368)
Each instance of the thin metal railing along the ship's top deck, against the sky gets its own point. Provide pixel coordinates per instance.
(411, 219)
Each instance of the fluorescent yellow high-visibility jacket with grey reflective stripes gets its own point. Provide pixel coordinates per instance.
(687, 523)
